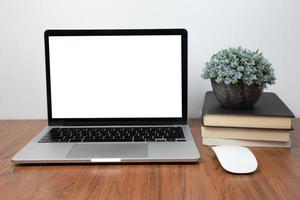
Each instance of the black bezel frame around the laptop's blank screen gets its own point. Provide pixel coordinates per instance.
(118, 121)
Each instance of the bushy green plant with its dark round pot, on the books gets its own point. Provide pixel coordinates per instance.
(238, 76)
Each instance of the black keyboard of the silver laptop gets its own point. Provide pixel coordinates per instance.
(126, 134)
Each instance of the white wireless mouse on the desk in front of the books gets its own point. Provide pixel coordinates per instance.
(236, 159)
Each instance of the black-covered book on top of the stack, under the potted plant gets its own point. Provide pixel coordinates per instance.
(269, 113)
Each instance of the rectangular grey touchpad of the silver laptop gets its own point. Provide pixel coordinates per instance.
(108, 151)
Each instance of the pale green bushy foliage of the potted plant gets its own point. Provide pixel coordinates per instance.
(235, 65)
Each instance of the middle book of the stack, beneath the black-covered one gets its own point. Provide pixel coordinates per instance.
(246, 134)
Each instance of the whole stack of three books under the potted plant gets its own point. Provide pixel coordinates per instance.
(267, 124)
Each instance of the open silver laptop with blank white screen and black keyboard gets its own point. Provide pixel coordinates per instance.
(114, 96)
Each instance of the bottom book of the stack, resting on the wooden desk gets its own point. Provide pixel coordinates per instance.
(250, 143)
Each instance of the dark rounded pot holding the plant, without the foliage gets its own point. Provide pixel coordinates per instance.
(237, 95)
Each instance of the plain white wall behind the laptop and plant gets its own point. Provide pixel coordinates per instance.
(272, 26)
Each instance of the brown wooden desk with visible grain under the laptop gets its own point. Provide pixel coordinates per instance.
(278, 176)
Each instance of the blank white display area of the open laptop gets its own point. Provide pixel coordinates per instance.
(116, 76)
